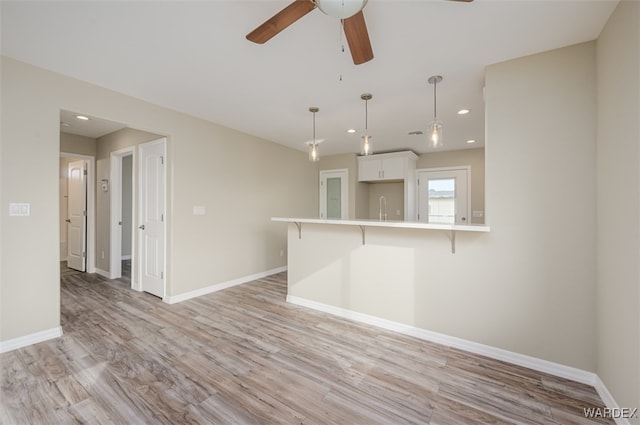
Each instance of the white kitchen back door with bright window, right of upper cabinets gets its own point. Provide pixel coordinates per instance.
(443, 196)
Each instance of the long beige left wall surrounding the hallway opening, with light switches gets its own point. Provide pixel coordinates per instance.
(242, 180)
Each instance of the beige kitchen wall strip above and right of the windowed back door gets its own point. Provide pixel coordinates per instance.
(471, 157)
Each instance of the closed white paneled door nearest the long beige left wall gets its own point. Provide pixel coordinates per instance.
(152, 215)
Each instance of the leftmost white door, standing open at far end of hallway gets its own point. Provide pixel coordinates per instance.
(77, 215)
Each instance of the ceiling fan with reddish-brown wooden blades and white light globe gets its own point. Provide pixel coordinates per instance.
(349, 11)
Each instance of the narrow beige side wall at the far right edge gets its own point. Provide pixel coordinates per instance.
(618, 307)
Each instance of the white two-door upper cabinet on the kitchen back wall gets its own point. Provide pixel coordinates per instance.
(386, 166)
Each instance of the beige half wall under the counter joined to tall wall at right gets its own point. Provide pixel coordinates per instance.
(528, 286)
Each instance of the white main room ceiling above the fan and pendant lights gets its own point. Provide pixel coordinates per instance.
(192, 56)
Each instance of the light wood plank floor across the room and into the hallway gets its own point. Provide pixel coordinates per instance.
(244, 356)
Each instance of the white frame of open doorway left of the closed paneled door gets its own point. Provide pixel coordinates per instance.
(115, 229)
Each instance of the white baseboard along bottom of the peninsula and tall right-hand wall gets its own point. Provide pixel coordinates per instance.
(530, 362)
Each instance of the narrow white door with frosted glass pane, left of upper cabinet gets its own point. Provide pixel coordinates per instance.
(333, 194)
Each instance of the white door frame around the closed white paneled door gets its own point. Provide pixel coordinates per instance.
(138, 199)
